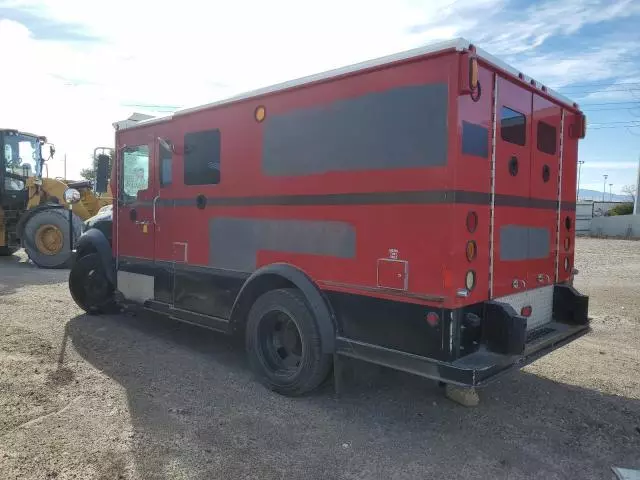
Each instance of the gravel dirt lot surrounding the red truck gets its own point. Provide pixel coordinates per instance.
(125, 397)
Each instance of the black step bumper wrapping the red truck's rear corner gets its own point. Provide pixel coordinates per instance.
(473, 370)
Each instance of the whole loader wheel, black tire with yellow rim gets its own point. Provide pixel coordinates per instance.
(46, 238)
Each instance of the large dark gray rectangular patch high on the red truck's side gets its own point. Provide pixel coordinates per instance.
(404, 127)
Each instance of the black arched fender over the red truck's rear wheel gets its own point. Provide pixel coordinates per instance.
(283, 275)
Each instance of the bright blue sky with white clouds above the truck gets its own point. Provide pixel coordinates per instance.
(75, 67)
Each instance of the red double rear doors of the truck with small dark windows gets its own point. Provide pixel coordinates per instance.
(527, 165)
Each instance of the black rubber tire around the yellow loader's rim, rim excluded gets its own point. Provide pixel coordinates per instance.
(58, 218)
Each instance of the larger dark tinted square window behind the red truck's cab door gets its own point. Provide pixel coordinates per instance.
(202, 158)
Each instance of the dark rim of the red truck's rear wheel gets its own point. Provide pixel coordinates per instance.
(280, 343)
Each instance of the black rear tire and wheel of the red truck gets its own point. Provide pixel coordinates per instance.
(274, 368)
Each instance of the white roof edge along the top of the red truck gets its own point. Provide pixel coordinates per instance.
(458, 44)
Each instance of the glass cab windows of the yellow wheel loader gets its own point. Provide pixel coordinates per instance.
(21, 154)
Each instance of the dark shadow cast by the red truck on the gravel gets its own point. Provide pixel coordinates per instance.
(196, 409)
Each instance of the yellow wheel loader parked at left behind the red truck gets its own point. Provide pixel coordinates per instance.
(33, 211)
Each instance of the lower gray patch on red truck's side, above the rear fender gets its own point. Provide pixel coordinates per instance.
(234, 242)
